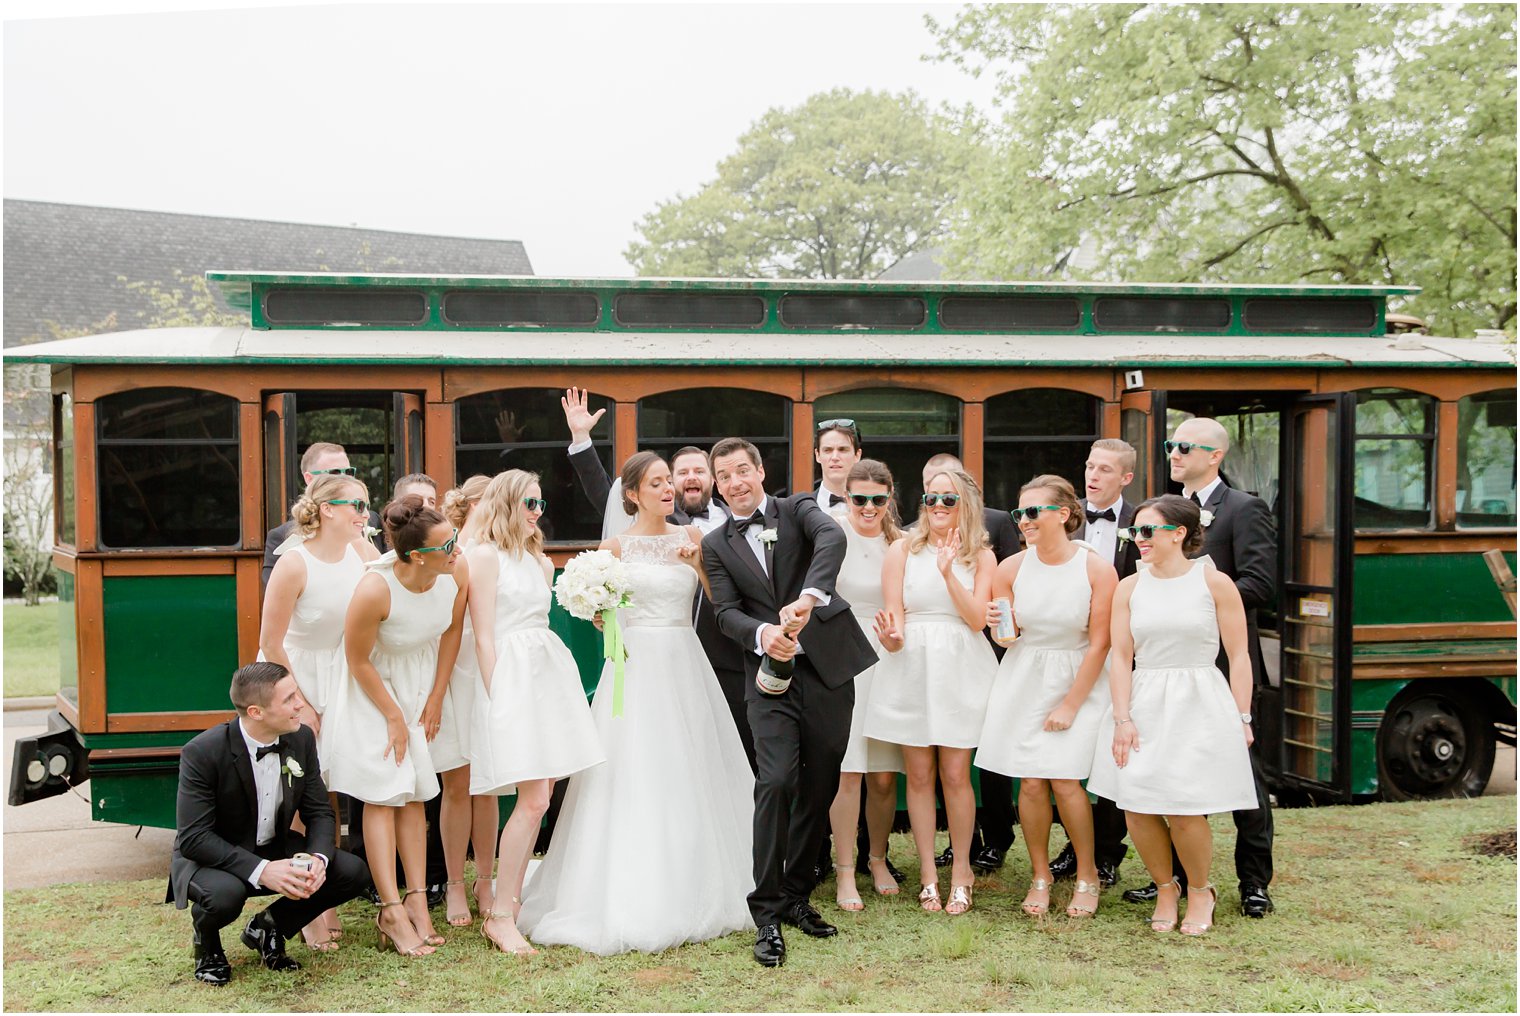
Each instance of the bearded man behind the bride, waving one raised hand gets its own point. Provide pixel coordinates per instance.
(692, 477)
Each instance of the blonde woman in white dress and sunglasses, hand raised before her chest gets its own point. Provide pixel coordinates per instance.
(929, 694)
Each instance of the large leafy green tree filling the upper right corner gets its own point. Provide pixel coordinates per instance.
(1317, 144)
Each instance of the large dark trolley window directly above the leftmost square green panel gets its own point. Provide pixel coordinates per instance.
(168, 469)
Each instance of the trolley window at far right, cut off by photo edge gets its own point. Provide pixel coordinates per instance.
(1486, 460)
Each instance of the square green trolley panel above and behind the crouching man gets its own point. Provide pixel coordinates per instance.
(171, 643)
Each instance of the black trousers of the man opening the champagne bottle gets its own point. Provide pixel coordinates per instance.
(800, 741)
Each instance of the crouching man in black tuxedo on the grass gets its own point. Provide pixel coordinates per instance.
(239, 787)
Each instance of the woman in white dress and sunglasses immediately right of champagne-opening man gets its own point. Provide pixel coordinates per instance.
(870, 530)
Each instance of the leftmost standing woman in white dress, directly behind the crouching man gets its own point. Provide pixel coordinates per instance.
(305, 605)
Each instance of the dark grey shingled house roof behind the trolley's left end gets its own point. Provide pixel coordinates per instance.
(66, 264)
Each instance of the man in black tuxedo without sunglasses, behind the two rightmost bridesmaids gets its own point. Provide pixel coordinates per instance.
(1110, 469)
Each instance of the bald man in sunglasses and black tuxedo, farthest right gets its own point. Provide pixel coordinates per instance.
(1241, 536)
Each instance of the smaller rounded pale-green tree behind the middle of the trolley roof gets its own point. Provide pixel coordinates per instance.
(844, 186)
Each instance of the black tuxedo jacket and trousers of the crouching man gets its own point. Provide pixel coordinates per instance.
(217, 814)
